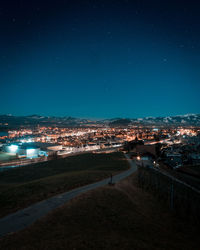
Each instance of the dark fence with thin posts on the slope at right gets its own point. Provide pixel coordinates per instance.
(183, 199)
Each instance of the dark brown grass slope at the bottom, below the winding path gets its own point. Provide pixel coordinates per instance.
(119, 217)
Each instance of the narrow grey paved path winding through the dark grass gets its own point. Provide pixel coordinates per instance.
(23, 218)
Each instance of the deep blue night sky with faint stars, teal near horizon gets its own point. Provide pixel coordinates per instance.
(99, 59)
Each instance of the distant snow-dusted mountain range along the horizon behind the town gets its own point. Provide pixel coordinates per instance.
(34, 120)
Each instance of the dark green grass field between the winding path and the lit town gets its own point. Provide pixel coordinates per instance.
(24, 186)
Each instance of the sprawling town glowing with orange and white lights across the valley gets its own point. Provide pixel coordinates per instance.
(176, 146)
